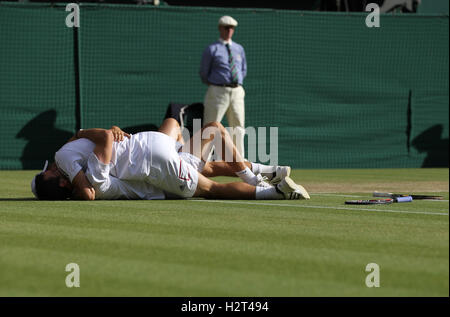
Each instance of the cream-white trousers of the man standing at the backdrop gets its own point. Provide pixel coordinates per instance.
(230, 101)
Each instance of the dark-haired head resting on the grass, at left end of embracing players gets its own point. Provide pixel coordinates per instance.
(51, 184)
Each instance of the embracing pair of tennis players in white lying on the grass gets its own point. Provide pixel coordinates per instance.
(110, 164)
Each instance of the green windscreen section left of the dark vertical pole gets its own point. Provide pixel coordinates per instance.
(37, 84)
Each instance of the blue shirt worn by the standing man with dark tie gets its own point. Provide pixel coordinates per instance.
(215, 65)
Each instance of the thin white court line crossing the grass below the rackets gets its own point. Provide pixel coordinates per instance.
(322, 207)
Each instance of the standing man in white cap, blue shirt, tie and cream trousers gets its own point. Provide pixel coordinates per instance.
(223, 68)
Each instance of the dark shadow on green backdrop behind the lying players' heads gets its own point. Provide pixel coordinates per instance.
(43, 140)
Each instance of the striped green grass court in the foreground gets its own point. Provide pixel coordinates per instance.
(232, 248)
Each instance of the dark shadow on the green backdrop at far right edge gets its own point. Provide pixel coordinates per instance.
(430, 141)
